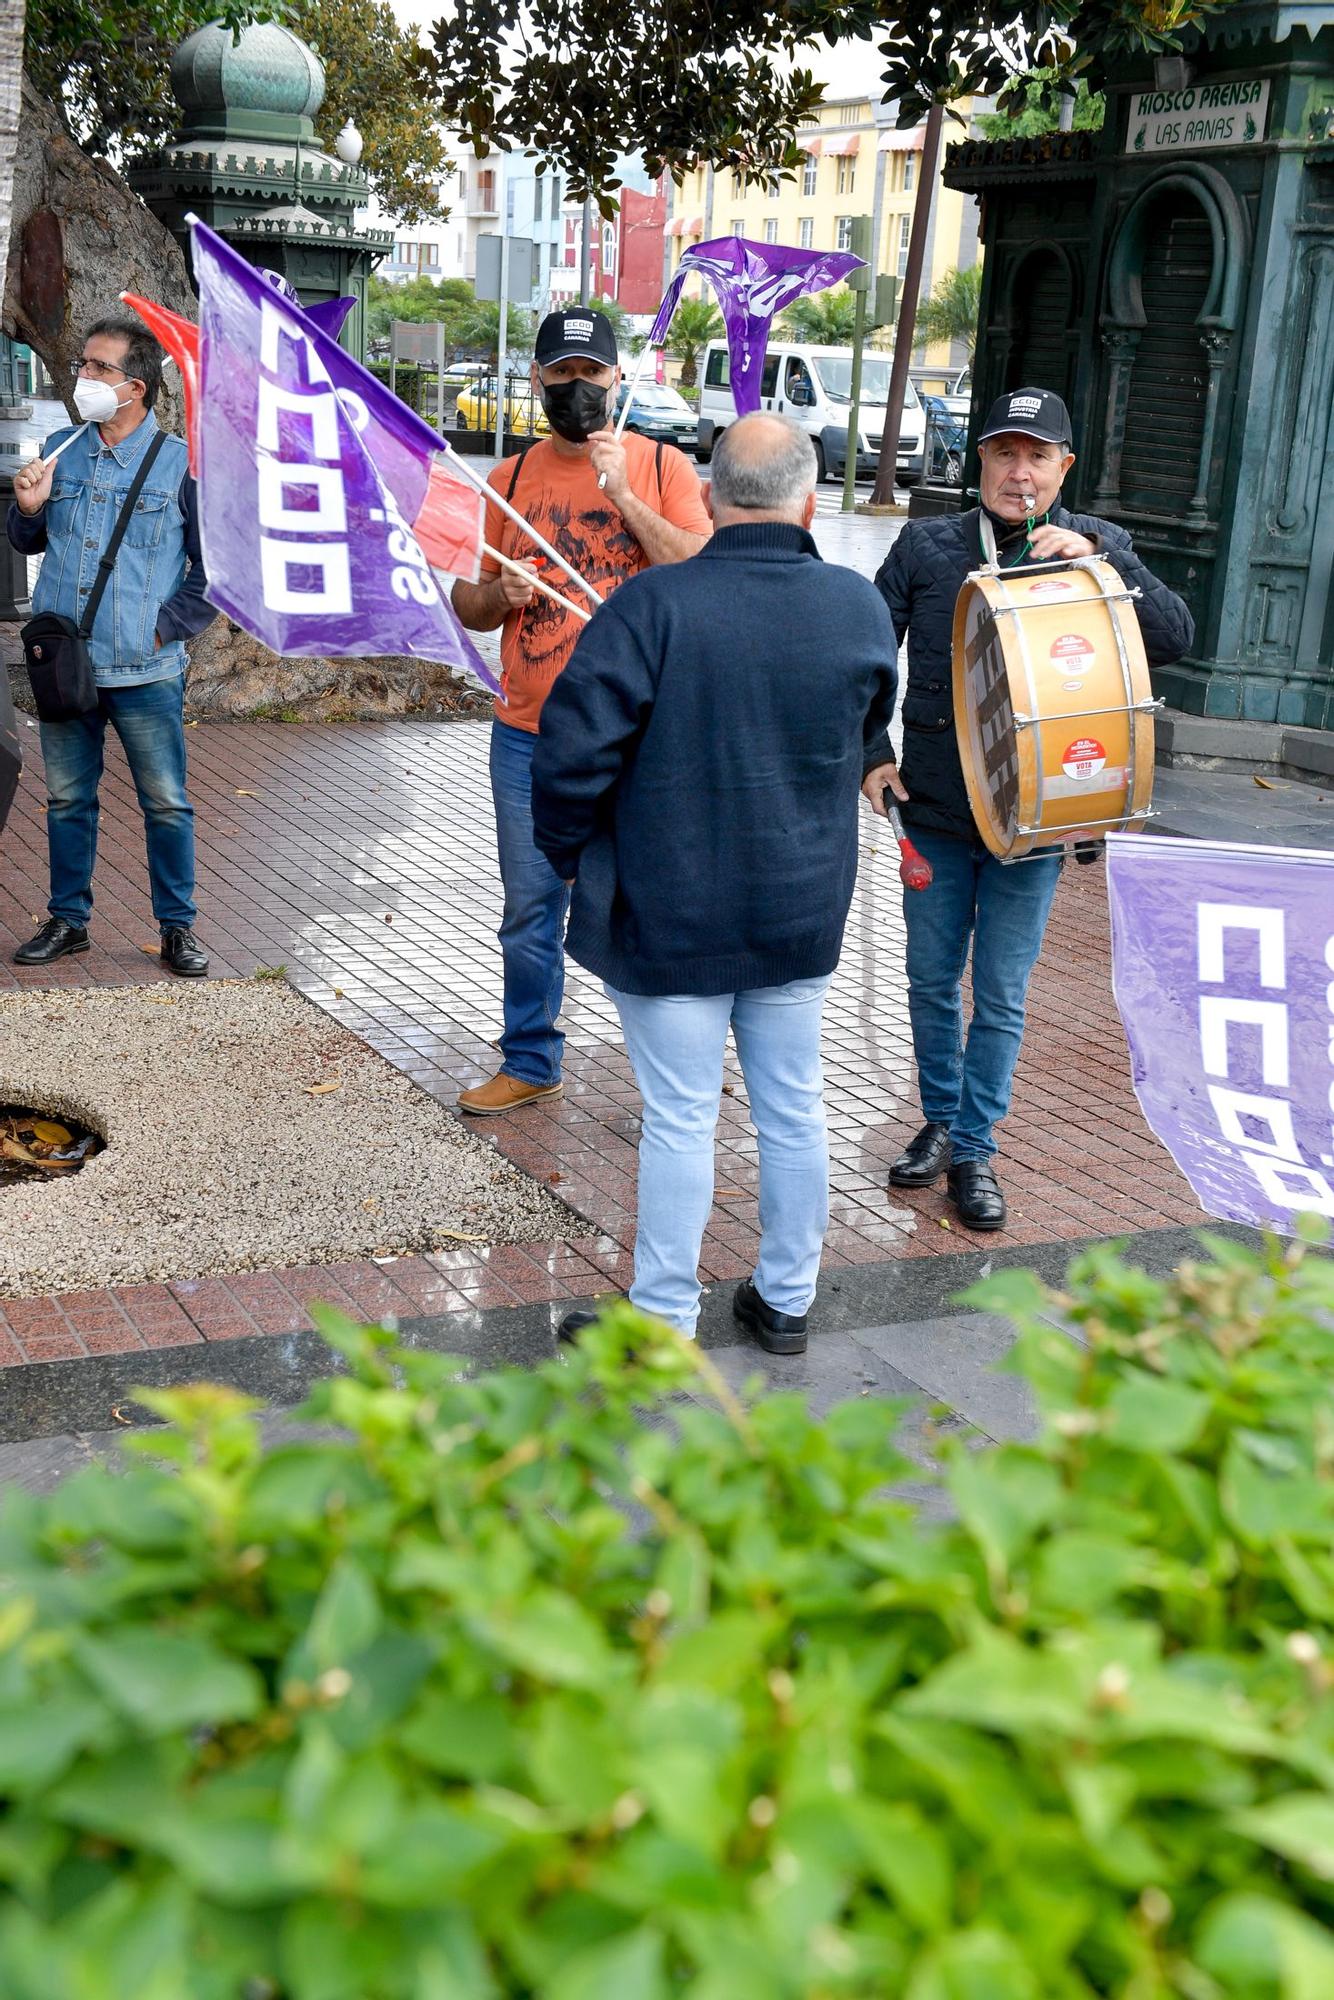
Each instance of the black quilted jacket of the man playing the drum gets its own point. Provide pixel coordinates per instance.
(919, 581)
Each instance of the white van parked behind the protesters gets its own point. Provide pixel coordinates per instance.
(813, 387)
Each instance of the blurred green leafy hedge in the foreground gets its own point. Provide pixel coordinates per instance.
(599, 1683)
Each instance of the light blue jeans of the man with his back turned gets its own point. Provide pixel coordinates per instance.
(677, 1053)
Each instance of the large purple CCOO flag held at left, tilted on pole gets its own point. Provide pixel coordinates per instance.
(311, 483)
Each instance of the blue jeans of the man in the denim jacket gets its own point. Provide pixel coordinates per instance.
(151, 725)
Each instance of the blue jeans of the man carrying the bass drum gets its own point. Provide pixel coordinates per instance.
(1003, 909)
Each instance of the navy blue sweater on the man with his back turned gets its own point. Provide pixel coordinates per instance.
(699, 767)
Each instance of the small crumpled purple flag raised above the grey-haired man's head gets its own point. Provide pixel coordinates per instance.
(753, 283)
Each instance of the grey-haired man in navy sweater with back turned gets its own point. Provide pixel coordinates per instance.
(697, 779)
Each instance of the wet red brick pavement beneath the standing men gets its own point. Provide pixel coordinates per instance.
(361, 859)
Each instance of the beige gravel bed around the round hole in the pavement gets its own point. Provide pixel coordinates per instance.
(219, 1157)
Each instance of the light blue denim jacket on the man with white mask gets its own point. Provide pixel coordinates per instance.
(157, 585)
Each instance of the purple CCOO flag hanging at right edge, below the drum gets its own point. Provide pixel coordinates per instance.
(1221, 963)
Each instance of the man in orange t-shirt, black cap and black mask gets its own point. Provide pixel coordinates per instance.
(647, 511)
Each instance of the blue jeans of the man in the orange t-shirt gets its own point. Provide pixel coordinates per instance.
(535, 919)
